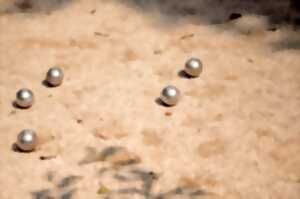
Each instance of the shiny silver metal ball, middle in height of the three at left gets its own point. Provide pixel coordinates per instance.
(24, 98)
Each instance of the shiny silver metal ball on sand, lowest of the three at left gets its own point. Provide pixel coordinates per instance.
(27, 140)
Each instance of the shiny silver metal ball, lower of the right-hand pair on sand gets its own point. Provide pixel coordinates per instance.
(170, 95)
